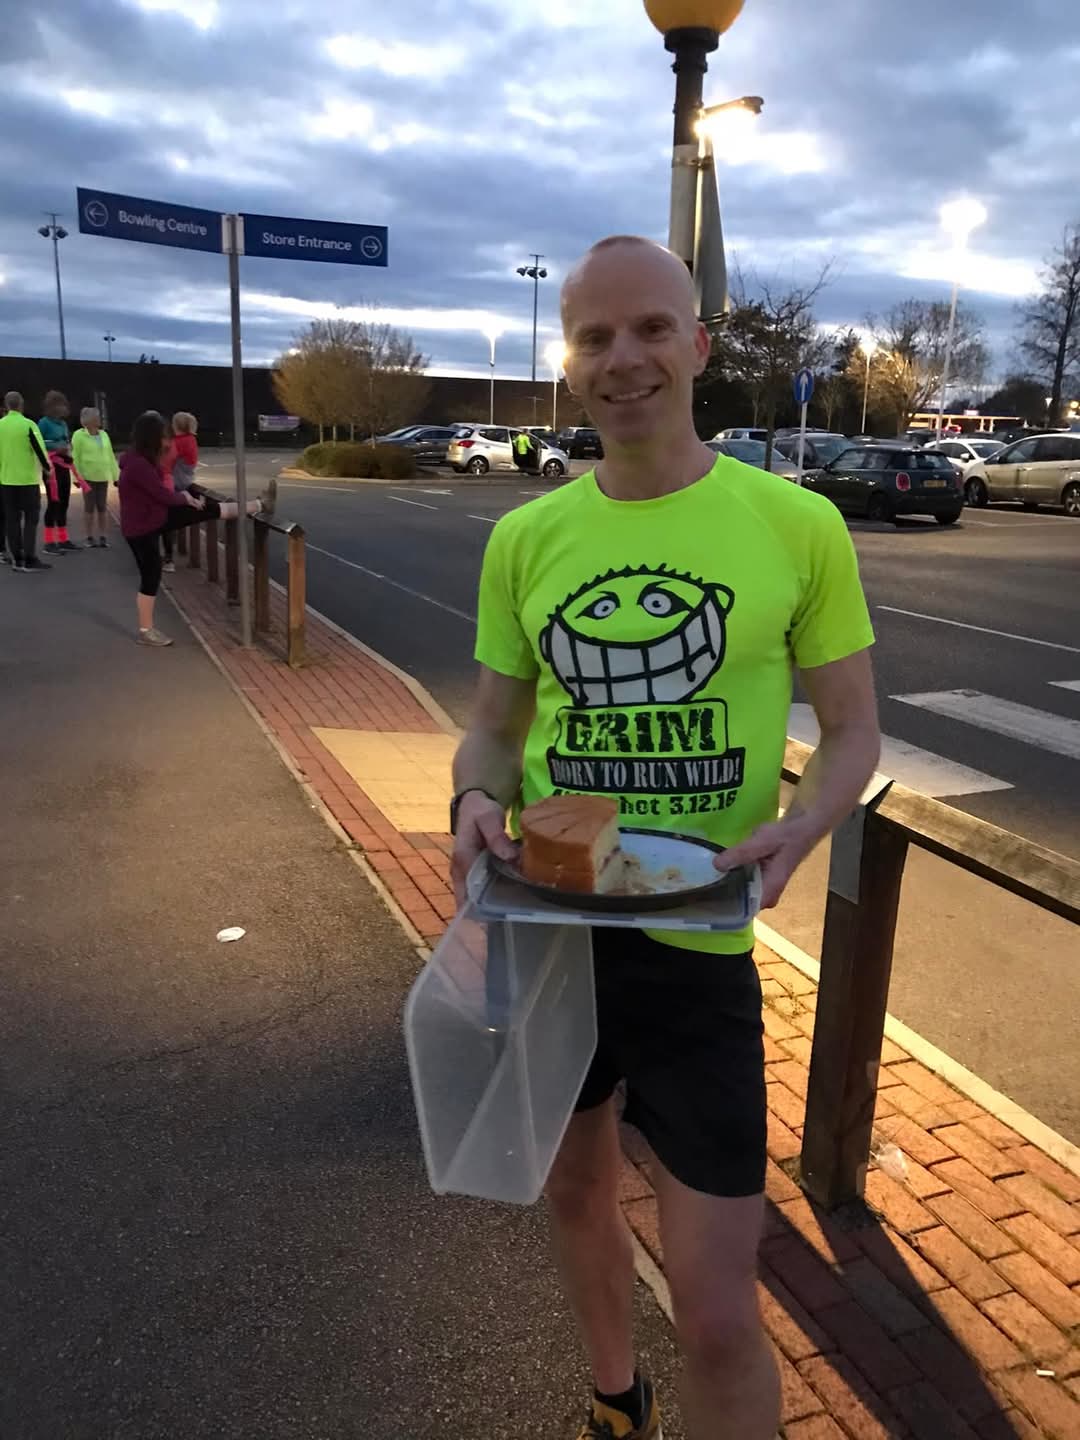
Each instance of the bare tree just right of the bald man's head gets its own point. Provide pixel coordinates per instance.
(767, 341)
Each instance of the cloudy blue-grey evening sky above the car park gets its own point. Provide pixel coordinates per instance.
(483, 130)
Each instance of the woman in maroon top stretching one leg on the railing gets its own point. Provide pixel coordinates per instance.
(149, 509)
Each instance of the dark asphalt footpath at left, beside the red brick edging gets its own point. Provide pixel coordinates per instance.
(214, 1216)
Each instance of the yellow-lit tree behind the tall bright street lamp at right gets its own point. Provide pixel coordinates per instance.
(909, 365)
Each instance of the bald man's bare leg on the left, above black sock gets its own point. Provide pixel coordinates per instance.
(593, 1245)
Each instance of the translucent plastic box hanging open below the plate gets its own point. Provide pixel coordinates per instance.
(500, 1029)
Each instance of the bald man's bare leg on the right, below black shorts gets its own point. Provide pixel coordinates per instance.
(711, 1259)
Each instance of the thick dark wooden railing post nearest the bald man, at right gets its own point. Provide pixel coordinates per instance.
(866, 872)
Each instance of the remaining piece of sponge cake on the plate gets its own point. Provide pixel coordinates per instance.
(572, 843)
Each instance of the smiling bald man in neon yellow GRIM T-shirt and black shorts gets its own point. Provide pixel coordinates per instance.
(639, 634)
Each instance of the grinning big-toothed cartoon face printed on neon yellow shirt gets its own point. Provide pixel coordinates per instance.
(639, 637)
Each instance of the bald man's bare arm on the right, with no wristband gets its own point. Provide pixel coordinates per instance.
(843, 699)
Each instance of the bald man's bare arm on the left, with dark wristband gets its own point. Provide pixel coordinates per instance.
(490, 758)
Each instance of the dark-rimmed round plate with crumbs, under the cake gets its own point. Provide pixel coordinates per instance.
(657, 852)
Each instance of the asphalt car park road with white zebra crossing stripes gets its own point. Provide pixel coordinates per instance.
(987, 608)
